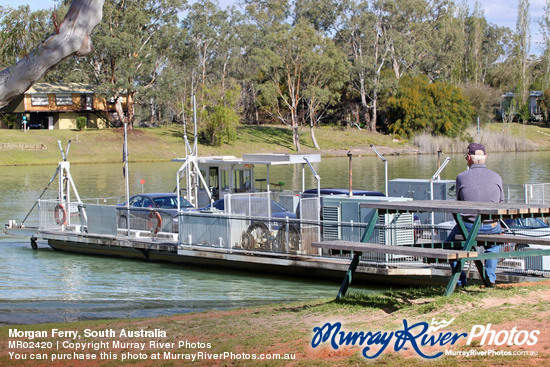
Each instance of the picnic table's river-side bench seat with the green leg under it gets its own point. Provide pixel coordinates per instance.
(359, 247)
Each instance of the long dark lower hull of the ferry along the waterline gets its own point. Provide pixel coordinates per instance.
(313, 268)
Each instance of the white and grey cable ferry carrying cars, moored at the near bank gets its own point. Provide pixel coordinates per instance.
(249, 232)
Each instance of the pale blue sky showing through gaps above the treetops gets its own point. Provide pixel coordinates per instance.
(500, 12)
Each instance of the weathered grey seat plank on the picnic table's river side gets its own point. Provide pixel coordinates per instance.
(396, 250)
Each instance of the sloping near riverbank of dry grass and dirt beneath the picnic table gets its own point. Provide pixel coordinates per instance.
(518, 315)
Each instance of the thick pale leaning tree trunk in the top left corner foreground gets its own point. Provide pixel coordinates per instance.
(73, 38)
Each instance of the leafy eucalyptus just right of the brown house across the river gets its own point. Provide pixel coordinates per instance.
(130, 52)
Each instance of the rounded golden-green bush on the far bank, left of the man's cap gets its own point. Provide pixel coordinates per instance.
(437, 108)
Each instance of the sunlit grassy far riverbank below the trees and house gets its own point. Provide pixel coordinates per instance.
(39, 147)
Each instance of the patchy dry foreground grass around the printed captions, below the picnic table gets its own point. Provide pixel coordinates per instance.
(288, 328)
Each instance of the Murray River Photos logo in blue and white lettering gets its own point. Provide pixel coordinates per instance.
(418, 336)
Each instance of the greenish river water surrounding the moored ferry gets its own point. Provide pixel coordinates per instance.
(48, 286)
